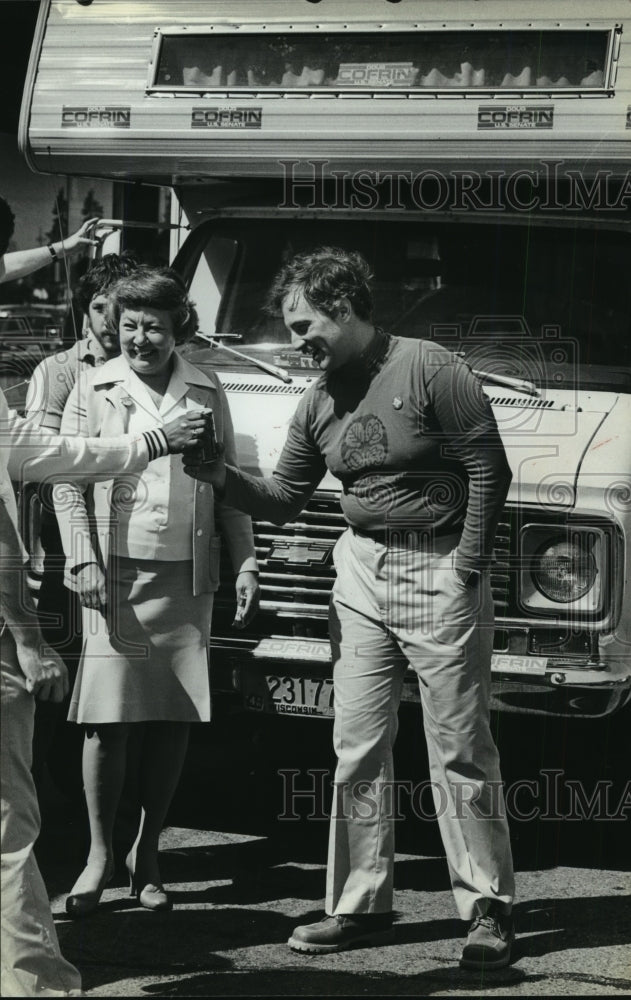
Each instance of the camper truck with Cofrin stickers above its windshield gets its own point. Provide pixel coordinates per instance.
(477, 153)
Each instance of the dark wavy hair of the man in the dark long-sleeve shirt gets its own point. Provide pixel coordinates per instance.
(324, 276)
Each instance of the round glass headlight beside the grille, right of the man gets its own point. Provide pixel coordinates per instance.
(563, 570)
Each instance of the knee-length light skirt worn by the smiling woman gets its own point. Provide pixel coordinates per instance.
(145, 658)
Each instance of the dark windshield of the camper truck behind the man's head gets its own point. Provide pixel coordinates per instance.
(550, 304)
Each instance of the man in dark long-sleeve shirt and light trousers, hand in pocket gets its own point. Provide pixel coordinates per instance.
(407, 429)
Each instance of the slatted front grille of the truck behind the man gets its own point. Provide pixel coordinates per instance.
(301, 589)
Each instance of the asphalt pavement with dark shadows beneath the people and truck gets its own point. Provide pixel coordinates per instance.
(242, 878)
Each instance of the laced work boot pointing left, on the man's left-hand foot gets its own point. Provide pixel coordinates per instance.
(346, 930)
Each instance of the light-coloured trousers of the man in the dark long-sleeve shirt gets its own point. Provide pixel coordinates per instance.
(394, 606)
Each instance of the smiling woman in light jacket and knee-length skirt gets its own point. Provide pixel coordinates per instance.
(147, 587)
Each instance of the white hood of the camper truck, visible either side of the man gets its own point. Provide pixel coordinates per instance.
(546, 439)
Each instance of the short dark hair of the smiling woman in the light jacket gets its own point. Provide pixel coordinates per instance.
(154, 288)
